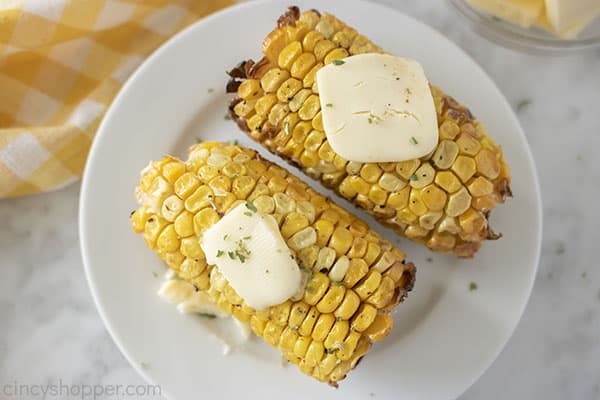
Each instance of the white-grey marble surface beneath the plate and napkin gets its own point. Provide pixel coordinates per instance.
(50, 330)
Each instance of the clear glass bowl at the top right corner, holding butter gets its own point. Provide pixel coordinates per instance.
(530, 40)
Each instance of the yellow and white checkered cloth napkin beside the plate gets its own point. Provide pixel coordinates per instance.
(61, 64)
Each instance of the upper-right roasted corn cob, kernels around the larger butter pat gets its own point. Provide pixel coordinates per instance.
(442, 200)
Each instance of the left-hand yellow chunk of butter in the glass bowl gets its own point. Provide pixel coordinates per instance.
(520, 12)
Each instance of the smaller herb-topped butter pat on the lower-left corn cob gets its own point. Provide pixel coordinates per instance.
(250, 252)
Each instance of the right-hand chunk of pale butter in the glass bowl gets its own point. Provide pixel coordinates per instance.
(569, 17)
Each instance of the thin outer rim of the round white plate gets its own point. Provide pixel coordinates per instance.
(102, 132)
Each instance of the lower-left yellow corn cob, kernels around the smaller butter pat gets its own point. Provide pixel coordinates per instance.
(353, 277)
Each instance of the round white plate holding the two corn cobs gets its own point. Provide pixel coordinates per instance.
(445, 334)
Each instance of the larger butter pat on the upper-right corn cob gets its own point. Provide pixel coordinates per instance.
(377, 108)
